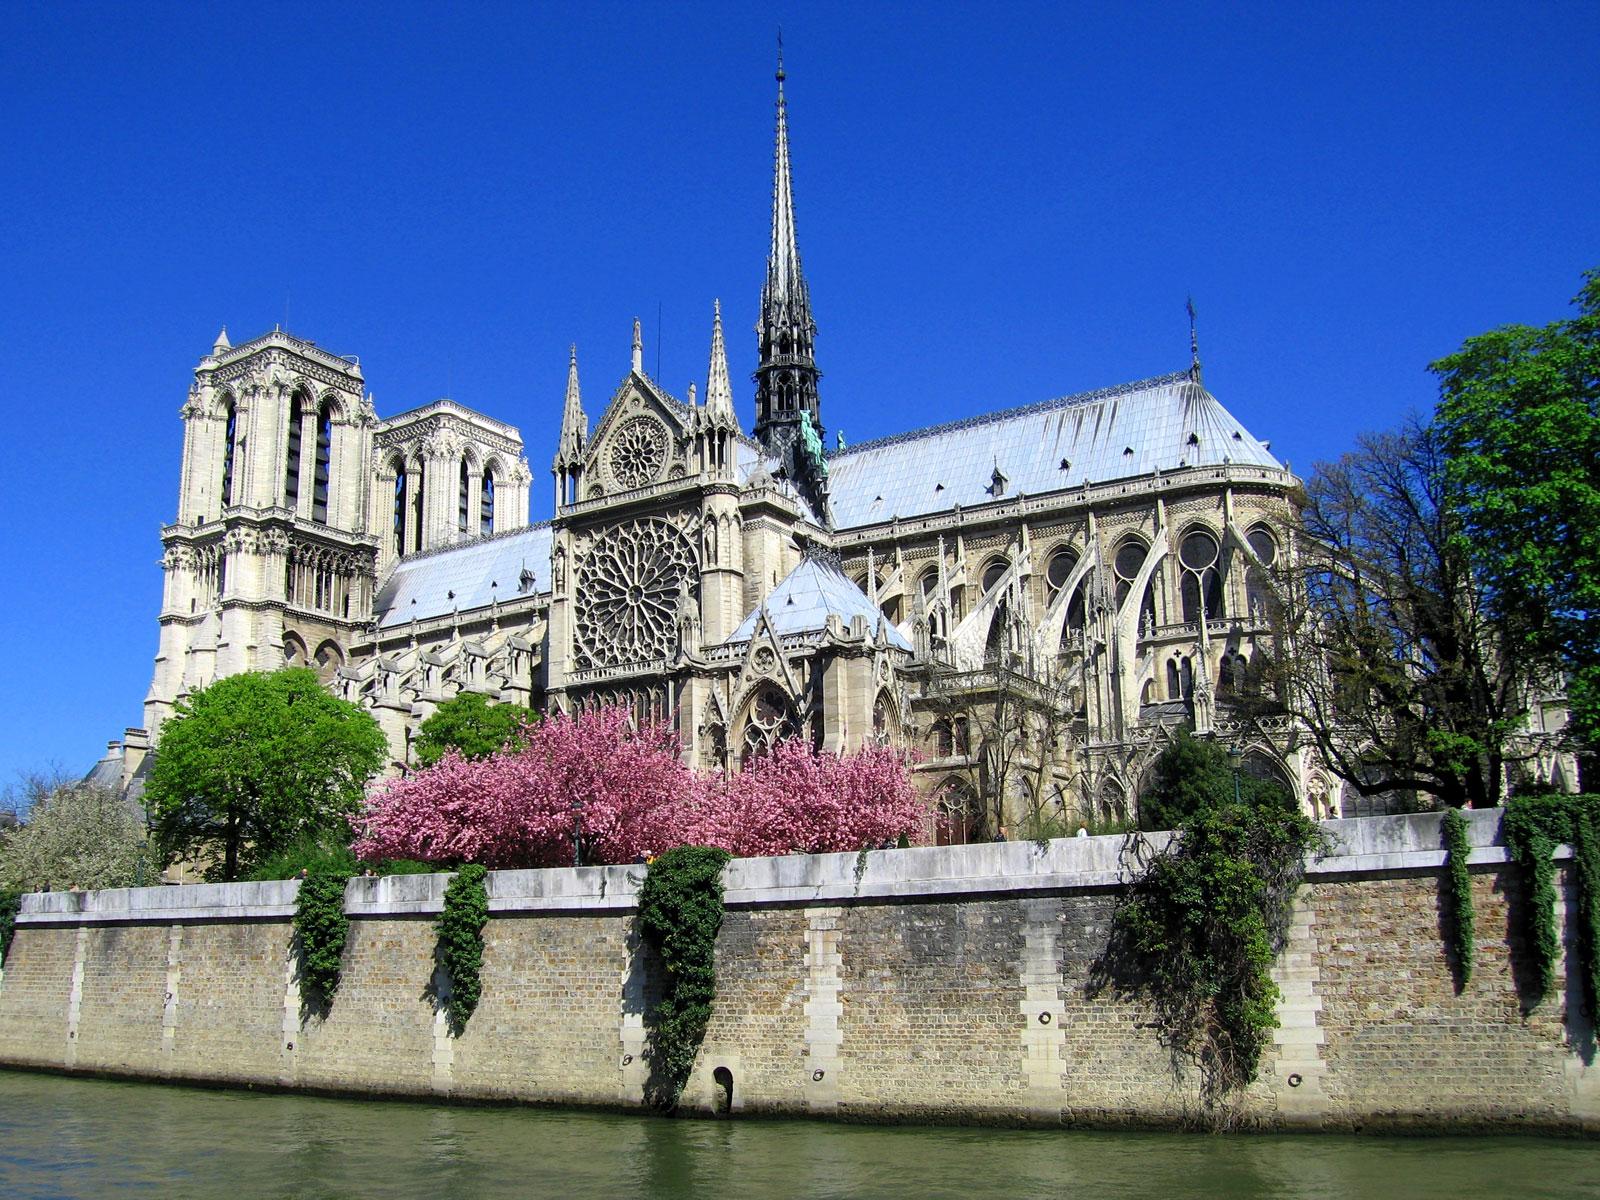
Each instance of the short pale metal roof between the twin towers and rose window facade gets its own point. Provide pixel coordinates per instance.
(476, 574)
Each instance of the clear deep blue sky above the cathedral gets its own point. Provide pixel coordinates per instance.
(996, 206)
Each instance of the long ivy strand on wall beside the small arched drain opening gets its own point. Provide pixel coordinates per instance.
(679, 916)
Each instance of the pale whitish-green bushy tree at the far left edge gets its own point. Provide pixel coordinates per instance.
(79, 836)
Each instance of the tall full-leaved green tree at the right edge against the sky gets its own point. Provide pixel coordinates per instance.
(1519, 418)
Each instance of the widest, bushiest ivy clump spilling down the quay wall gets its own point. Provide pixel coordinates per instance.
(1202, 926)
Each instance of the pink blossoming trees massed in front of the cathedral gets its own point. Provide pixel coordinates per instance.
(636, 798)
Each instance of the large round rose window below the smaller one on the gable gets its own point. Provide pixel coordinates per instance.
(628, 593)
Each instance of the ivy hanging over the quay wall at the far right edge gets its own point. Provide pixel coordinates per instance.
(1534, 828)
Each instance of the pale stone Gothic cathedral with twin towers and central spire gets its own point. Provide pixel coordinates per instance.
(1031, 599)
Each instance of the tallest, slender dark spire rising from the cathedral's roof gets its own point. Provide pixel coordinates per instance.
(786, 377)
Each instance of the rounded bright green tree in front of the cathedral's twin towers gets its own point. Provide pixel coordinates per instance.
(255, 764)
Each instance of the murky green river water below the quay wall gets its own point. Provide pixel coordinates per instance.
(92, 1138)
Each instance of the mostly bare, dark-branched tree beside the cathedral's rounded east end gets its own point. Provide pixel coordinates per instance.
(1383, 642)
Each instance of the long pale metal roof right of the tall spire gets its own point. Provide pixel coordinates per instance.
(1119, 433)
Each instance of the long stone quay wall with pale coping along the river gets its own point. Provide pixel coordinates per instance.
(943, 985)
